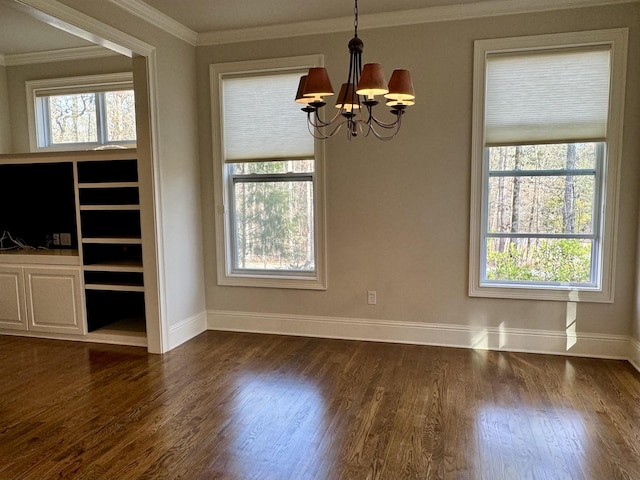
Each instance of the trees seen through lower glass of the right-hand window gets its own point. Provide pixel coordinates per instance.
(542, 218)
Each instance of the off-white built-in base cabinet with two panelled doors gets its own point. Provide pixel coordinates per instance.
(41, 299)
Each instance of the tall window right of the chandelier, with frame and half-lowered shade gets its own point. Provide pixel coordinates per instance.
(547, 140)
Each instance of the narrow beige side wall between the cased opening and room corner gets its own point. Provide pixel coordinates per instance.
(178, 175)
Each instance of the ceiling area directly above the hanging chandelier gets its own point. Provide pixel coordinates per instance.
(216, 15)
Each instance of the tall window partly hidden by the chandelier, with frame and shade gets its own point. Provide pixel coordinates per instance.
(269, 177)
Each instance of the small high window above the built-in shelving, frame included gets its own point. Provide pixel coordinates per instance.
(82, 112)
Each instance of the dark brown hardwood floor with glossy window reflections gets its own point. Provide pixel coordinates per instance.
(243, 406)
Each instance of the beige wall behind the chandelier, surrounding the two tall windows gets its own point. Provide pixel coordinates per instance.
(398, 212)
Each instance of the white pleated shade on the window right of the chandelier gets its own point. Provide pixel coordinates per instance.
(546, 97)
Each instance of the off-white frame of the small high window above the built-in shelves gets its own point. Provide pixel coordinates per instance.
(38, 125)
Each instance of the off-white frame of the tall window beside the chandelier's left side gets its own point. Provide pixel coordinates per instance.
(223, 191)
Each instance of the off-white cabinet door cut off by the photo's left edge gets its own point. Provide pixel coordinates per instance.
(13, 313)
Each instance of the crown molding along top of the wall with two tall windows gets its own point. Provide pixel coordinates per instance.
(488, 8)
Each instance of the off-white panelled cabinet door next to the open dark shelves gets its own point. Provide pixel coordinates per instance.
(54, 302)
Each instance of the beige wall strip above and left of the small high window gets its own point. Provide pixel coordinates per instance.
(19, 74)
